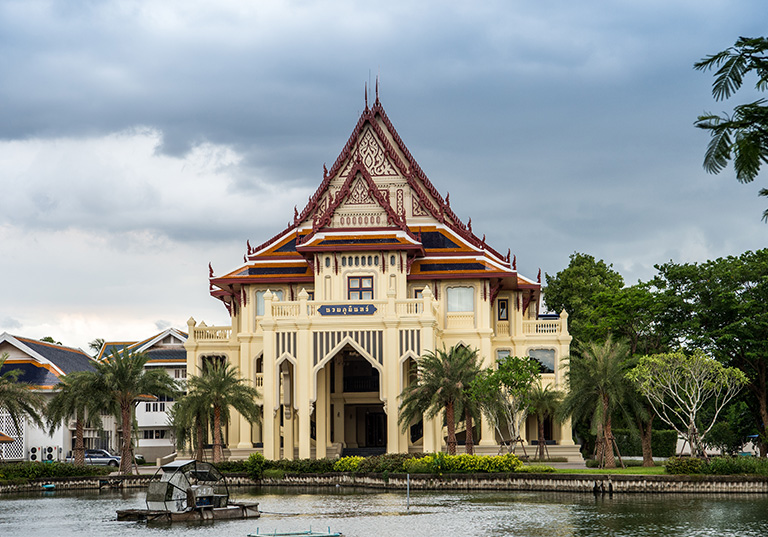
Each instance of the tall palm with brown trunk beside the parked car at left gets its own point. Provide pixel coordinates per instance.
(123, 380)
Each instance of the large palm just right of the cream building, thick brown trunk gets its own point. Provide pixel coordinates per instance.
(597, 387)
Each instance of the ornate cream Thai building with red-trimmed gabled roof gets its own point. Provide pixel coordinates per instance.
(328, 316)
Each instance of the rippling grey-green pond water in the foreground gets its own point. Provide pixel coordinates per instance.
(365, 513)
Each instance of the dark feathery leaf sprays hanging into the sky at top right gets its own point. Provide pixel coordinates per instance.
(742, 136)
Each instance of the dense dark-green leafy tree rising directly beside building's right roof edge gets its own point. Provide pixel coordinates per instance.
(576, 288)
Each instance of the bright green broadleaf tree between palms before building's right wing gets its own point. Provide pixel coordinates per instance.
(502, 394)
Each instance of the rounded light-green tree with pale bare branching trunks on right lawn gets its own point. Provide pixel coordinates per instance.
(678, 386)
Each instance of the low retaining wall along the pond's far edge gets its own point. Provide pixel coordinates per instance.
(584, 483)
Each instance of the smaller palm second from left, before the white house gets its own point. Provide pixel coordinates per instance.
(80, 397)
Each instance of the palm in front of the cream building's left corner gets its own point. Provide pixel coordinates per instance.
(221, 387)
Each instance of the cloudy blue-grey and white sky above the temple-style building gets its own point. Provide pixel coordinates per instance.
(140, 140)
